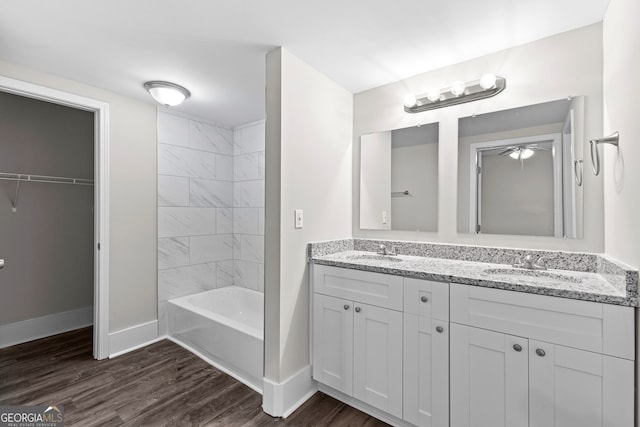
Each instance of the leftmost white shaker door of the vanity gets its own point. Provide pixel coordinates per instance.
(333, 342)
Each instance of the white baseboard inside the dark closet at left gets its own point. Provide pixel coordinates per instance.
(40, 327)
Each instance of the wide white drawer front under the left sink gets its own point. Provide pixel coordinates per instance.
(382, 290)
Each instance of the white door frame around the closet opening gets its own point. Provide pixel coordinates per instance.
(101, 196)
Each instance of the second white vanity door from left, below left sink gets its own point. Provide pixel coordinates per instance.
(377, 357)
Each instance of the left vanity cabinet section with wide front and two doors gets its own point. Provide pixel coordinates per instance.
(357, 335)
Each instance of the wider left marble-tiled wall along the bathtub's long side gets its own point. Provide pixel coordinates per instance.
(195, 208)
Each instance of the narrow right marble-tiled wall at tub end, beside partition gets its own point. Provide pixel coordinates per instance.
(248, 206)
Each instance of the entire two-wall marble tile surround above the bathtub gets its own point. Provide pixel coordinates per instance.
(210, 207)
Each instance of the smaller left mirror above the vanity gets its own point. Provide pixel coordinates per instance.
(399, 179)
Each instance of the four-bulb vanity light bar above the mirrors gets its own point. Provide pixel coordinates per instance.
(458, 93)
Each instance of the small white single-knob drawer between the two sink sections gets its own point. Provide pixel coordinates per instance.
(426, 298)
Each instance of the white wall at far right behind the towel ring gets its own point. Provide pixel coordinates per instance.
(621, 174)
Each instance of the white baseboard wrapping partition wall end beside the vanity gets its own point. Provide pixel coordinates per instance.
(281, 399)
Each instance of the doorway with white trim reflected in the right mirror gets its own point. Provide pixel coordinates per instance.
(518, 186)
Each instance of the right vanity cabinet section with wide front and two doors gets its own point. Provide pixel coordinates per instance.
(530, 360)
